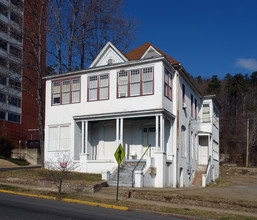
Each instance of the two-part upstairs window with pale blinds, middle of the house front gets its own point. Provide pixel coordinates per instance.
(98, 88)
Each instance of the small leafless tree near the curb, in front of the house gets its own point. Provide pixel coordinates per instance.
(60, 168)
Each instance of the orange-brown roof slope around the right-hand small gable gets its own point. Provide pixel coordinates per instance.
(137, 53)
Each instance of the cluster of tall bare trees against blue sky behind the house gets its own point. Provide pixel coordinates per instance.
(88, 26)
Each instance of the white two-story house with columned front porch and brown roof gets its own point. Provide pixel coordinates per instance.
(143, 100)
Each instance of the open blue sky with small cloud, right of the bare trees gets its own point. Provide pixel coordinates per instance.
(207, 37)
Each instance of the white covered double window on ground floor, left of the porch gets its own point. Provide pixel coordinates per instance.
(59, 138)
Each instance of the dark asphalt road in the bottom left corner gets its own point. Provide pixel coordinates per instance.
(22, 207)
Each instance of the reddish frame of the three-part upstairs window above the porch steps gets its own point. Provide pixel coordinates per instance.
(141, 82)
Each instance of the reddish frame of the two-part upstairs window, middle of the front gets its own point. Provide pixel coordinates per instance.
(98, 87)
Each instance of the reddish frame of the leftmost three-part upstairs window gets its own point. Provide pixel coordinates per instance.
(61, 92)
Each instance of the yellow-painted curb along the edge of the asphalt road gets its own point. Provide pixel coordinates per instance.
(69, 200)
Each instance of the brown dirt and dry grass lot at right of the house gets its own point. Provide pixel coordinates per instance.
(236, 190)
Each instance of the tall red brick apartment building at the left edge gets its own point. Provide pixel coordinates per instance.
(18, 110)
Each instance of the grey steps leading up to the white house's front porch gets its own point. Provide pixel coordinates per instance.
(125, 177)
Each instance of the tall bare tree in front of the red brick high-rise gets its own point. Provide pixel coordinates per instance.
(34, 42)
